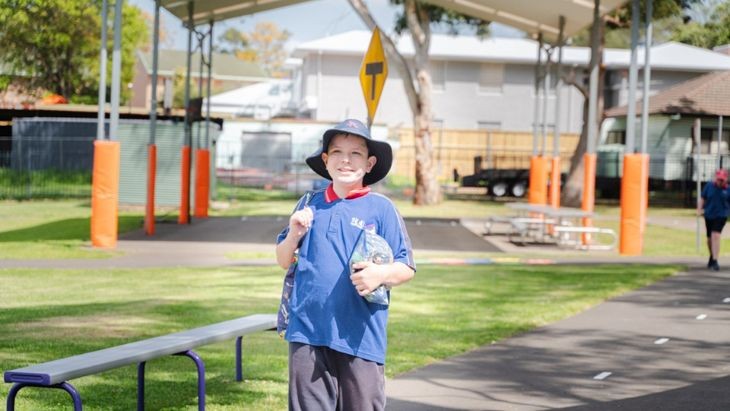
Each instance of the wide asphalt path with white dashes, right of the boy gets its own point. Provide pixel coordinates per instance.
(565, 365)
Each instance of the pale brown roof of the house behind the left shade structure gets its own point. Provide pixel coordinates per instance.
(225, 66)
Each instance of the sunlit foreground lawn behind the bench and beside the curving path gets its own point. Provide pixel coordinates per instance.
(445, 310)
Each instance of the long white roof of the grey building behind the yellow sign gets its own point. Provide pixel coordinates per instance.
(667, 56)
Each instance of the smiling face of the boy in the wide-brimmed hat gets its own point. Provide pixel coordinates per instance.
(347, 160)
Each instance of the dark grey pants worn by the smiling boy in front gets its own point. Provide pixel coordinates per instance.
(322, 379)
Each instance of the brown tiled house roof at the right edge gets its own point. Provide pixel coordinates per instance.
(704, 95)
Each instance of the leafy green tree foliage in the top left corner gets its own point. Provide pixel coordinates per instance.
(54, 44)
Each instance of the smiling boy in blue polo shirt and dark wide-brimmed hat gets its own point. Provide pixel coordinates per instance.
(337, 339)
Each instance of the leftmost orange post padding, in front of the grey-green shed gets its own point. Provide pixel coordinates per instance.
(105, 194)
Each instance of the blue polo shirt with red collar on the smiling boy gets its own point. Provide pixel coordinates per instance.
(325, 309)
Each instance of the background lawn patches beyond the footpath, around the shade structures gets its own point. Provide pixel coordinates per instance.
(60, 228)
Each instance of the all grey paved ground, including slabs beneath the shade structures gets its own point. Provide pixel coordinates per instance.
(663, 347)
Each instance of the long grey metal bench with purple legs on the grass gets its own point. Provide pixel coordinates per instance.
(56, 374)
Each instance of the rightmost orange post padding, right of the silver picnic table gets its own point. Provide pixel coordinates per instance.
(634, 201)
